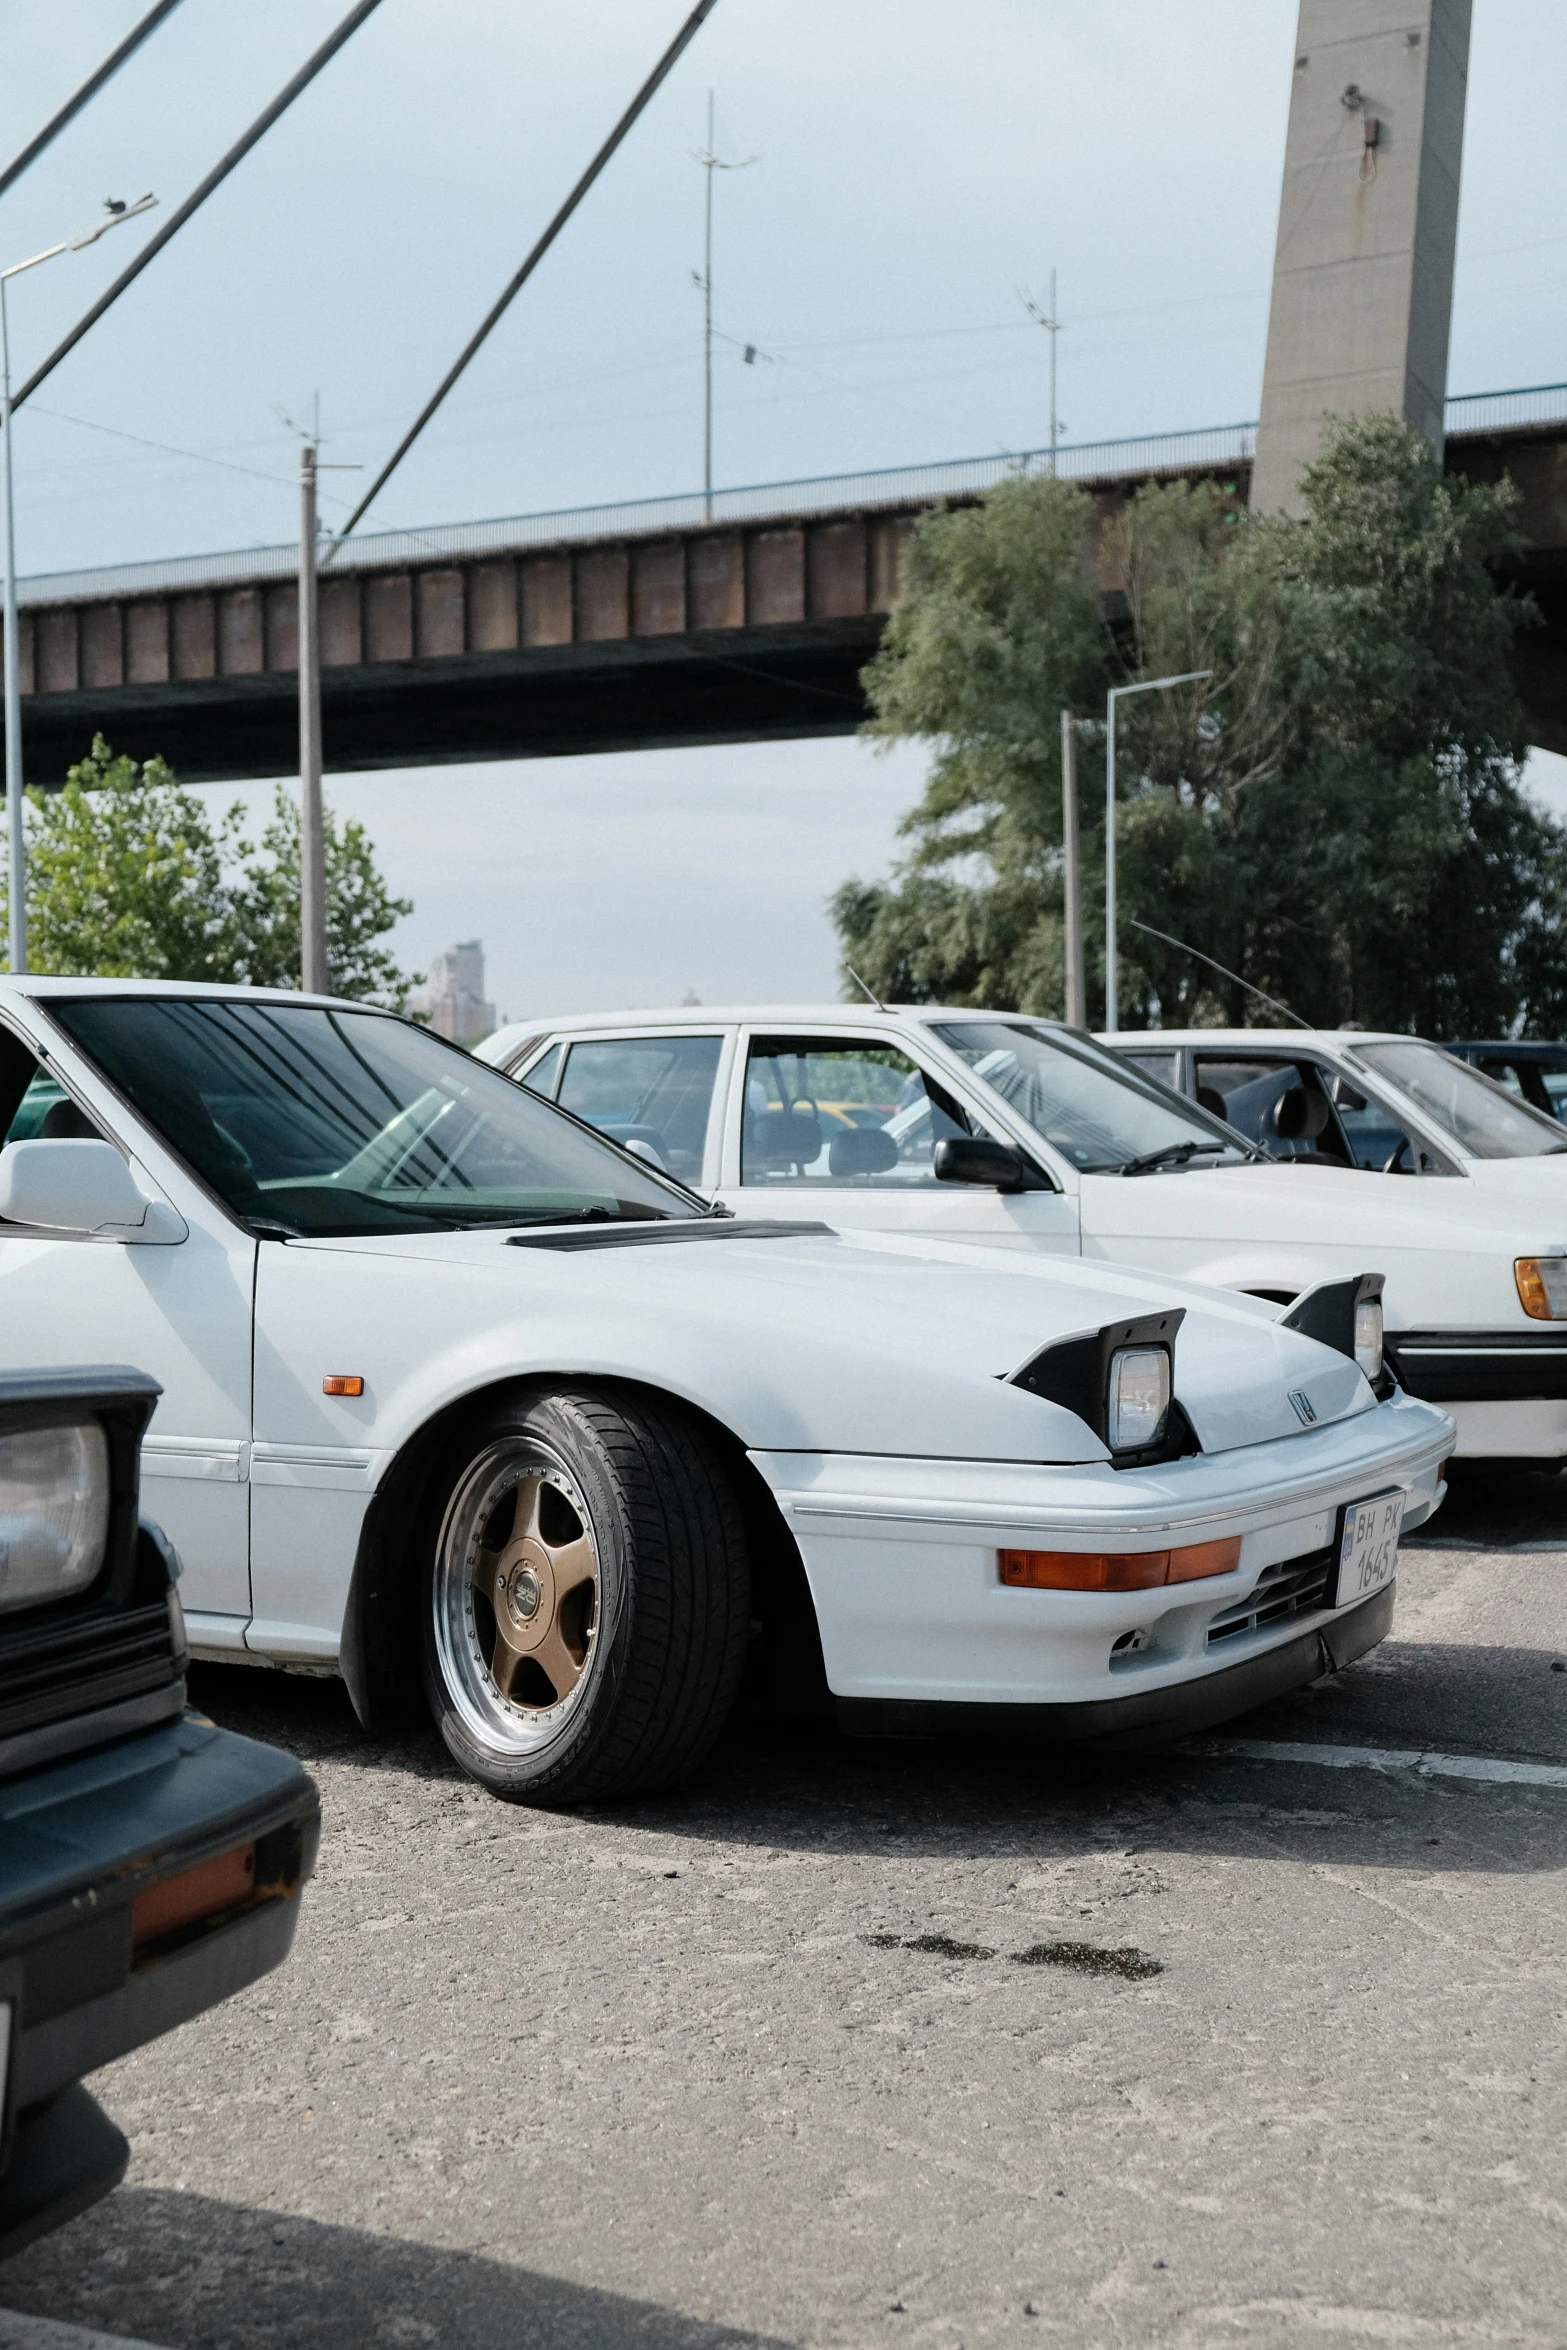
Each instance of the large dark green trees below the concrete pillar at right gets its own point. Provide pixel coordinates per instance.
(1336, 814)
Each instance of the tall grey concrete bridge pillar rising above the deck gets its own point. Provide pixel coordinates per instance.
(1366, 227)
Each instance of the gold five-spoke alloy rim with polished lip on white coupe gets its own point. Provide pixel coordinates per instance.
(518, 1597)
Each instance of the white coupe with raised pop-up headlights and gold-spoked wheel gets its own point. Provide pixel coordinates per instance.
(459, 1395)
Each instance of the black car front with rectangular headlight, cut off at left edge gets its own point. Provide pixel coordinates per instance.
(149, 1862)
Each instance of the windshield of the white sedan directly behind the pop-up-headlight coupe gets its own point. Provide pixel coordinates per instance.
(1091, 1108)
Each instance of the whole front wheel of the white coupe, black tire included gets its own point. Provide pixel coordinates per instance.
(661, 1641)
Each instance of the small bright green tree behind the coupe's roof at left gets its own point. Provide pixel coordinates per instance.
(130, 875)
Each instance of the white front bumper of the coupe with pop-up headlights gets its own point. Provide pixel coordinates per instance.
(901, 1562)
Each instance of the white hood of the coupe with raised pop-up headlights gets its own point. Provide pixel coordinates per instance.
(866, 1343)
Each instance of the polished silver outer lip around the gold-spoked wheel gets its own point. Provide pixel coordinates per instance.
(495, 1721)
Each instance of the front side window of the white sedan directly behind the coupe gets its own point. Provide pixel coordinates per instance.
(823, 1110)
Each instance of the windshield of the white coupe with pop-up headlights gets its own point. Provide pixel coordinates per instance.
(335, 1122)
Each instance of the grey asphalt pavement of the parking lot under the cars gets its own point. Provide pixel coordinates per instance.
(901, 2043)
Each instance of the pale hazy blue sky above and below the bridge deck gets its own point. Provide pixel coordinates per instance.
(917, 166)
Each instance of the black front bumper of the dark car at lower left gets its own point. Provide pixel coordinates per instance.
(81, 1846)
